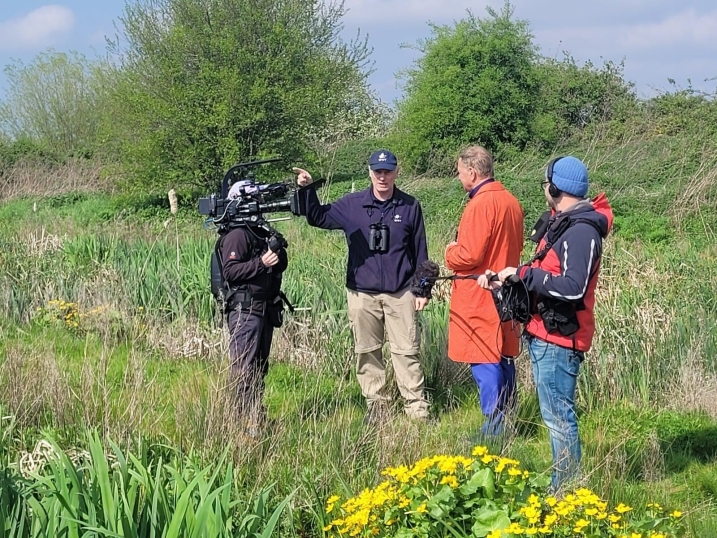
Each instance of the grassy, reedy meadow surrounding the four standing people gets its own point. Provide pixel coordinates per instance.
(150, 367)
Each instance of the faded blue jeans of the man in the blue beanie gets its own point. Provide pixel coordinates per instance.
(555, 370)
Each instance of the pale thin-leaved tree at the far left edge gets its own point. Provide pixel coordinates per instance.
(53, 102)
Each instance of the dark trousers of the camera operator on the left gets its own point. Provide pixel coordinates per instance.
(250, 336)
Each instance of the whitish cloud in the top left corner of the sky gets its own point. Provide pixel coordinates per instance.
(37, 29)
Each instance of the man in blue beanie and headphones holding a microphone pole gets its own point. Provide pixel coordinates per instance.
(561, 277)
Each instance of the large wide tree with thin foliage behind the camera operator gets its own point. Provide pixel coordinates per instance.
(205, 83)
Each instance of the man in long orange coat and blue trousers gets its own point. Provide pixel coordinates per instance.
(490, 234)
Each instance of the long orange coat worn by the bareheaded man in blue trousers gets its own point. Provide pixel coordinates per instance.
(490, 236)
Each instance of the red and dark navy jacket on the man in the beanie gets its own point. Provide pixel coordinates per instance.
(568, 272)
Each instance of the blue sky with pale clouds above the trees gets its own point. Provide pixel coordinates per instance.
(659, 39)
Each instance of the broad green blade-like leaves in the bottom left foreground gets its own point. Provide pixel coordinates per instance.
(121, 494)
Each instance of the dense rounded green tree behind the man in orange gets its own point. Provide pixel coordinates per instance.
(475, 83)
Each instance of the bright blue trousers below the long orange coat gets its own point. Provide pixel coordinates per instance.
(496, 386)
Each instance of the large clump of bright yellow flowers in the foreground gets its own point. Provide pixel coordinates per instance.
(484, 496)
